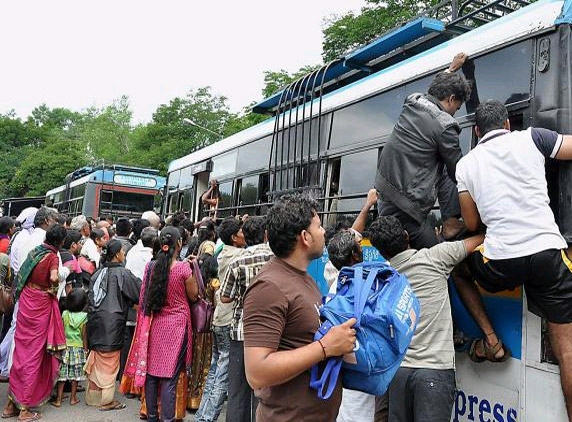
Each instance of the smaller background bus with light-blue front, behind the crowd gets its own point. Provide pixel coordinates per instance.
(115, 189)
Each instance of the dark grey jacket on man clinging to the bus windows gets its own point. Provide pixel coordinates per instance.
(423, 142)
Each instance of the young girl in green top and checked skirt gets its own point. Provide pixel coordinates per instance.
(71, 368)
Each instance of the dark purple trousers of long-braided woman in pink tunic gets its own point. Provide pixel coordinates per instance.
(168, 391)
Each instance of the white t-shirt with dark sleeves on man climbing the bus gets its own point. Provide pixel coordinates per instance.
(505, 176)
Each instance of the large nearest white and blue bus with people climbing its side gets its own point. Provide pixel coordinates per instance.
(326, 130)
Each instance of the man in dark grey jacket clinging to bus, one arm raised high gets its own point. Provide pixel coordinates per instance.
(418, 162)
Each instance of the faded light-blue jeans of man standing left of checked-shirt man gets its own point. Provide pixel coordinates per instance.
(217, 379)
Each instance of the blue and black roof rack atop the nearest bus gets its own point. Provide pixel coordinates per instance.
(432, 27)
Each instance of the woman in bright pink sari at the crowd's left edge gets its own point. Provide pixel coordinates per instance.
(40, 333)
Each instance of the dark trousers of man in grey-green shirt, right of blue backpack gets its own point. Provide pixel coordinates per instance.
(418, 394)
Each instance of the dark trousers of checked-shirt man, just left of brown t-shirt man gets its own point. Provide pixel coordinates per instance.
(241, 406)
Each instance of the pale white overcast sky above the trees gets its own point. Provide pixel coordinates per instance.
(78, 54)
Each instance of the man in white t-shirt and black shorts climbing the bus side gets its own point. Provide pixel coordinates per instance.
(502, 184)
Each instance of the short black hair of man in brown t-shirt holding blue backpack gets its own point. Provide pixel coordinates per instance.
(285, 221)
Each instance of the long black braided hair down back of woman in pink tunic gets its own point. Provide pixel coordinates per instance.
(159, 278)
